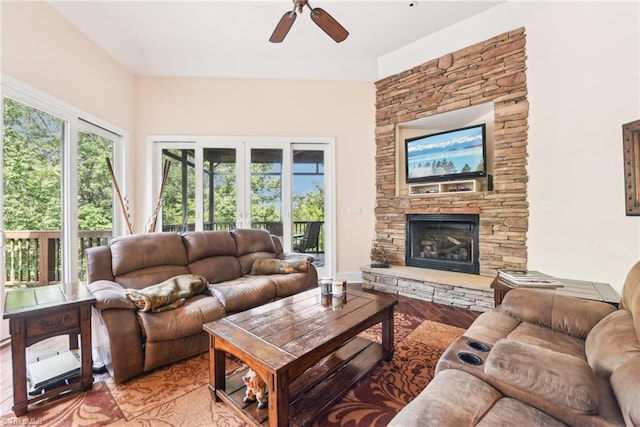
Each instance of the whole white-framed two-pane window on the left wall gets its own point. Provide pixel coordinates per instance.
(53, 164)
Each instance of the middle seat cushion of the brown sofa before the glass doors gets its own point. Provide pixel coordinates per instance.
(244, 293)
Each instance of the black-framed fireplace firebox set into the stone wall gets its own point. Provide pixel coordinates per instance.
(443, 242)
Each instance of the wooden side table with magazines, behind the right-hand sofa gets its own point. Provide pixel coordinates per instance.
(594, 291)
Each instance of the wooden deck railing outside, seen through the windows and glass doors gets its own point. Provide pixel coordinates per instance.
(35, 257)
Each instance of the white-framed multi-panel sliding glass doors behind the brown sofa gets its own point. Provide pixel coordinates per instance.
(276, 185)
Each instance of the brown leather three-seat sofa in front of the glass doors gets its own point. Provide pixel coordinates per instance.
(141, 341)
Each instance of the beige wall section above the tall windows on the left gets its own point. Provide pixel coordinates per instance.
(41, 49)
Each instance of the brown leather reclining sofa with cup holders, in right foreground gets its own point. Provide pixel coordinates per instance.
(549, 360)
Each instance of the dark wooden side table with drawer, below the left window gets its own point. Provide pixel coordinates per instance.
(36, 314)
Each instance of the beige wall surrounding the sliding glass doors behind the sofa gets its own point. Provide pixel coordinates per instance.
(279, 108)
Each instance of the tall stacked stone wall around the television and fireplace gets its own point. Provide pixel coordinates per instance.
(492, 71)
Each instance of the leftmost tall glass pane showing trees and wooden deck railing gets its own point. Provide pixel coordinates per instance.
(32, 193)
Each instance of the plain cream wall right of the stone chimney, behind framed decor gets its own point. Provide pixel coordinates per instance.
(578, 106)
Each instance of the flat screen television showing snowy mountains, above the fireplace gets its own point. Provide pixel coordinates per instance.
(447, 156)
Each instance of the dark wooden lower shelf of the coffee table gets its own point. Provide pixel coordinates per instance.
(315, 390)
